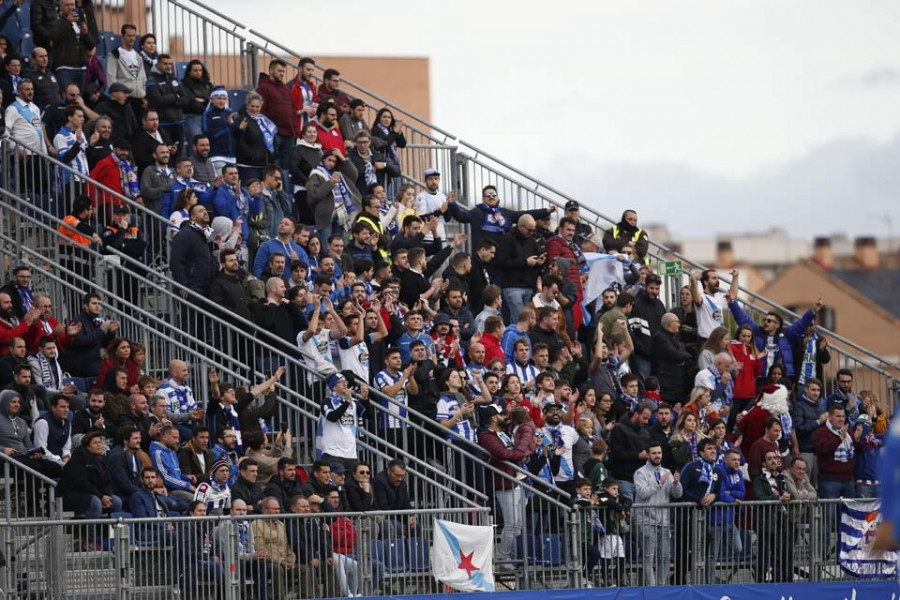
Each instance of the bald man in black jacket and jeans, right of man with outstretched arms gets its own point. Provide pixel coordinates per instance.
(520, 260)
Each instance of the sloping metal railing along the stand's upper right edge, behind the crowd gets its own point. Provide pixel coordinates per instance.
(191, 29)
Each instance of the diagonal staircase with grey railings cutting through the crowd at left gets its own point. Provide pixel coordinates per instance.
(159, 317)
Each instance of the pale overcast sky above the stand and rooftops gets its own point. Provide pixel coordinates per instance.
(709, 116)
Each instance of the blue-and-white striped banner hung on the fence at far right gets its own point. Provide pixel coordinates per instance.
(859, 521)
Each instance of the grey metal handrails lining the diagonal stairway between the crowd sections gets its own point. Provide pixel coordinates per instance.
(226, 344)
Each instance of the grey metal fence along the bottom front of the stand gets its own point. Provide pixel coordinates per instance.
(319, 554)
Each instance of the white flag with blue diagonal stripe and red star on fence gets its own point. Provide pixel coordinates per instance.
(463, 556)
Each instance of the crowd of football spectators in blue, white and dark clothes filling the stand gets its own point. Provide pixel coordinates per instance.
(291, 212)
